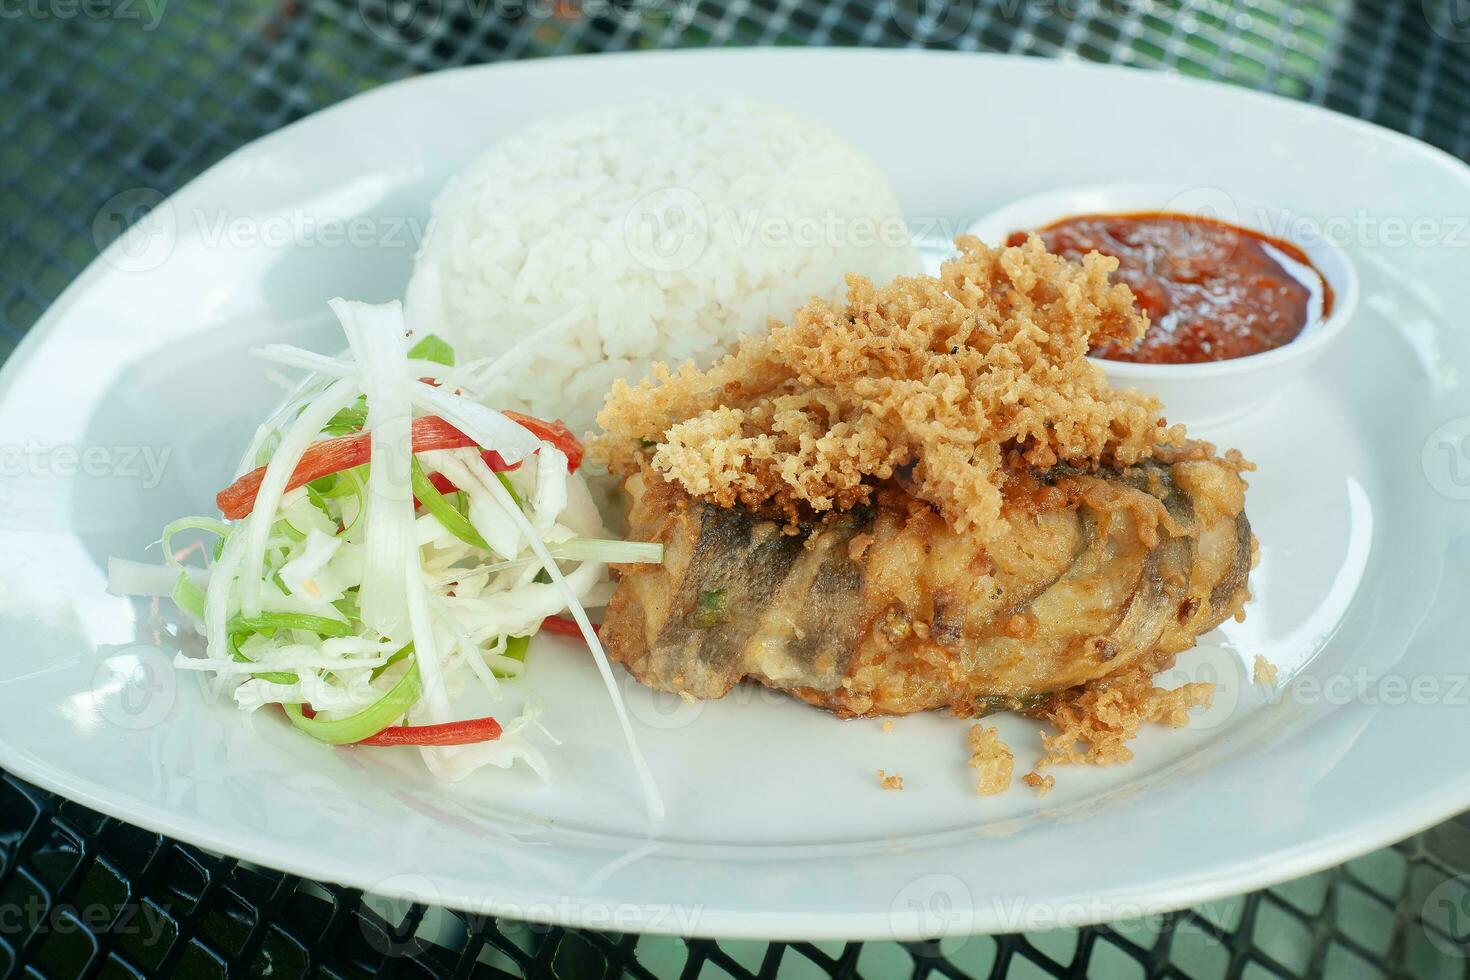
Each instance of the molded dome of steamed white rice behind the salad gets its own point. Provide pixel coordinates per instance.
(642, 234)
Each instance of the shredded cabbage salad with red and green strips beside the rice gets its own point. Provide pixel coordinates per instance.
(389, 540)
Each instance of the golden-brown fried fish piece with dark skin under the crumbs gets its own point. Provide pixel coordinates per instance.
(887, 610)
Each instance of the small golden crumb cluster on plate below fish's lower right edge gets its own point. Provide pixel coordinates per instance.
(1096, 724)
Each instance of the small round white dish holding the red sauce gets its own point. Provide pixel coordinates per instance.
(1215, 392)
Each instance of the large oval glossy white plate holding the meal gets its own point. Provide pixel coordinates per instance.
(777, 828)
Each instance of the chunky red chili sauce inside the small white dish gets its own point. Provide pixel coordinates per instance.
(1213, 292)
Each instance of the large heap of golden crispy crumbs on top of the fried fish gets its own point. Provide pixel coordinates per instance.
(965, 378)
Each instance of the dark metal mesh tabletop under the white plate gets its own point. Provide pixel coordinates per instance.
(102, 98)
